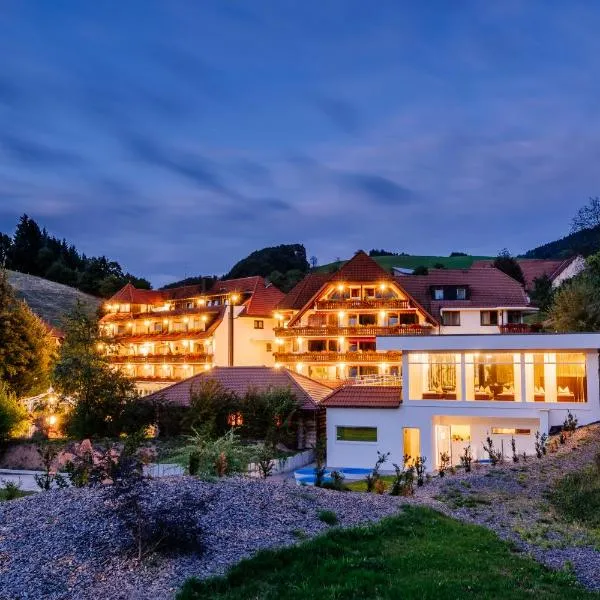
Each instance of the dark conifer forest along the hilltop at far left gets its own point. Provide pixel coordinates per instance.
(34, 251)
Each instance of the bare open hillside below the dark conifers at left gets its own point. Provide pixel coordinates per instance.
(49, 300)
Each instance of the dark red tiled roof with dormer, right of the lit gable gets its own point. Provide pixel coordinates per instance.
(488, 288)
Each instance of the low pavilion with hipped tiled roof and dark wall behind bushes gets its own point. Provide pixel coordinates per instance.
(240, 380)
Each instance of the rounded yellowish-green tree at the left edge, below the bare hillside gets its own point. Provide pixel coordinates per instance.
(27, 349)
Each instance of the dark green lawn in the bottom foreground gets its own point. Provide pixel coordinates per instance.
(419, 554)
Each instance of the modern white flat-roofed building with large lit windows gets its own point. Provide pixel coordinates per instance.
(460, 389)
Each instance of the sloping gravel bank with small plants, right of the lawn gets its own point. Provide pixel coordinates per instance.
(511, 500)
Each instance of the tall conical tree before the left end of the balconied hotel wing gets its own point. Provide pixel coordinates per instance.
(106, 402)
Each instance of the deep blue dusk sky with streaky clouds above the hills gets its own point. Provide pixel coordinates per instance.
(176, 137)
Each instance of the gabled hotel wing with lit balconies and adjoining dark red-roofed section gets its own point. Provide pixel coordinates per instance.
(328, 324)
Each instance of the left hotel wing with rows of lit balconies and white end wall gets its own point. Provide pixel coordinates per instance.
(160, 337)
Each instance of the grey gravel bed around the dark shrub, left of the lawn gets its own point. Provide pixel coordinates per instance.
(68, 543)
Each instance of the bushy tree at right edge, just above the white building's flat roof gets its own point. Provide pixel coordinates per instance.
(576, 305)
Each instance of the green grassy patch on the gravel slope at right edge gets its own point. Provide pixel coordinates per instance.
(576, 497)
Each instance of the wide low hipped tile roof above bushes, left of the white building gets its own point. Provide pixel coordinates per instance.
(240, 380)
